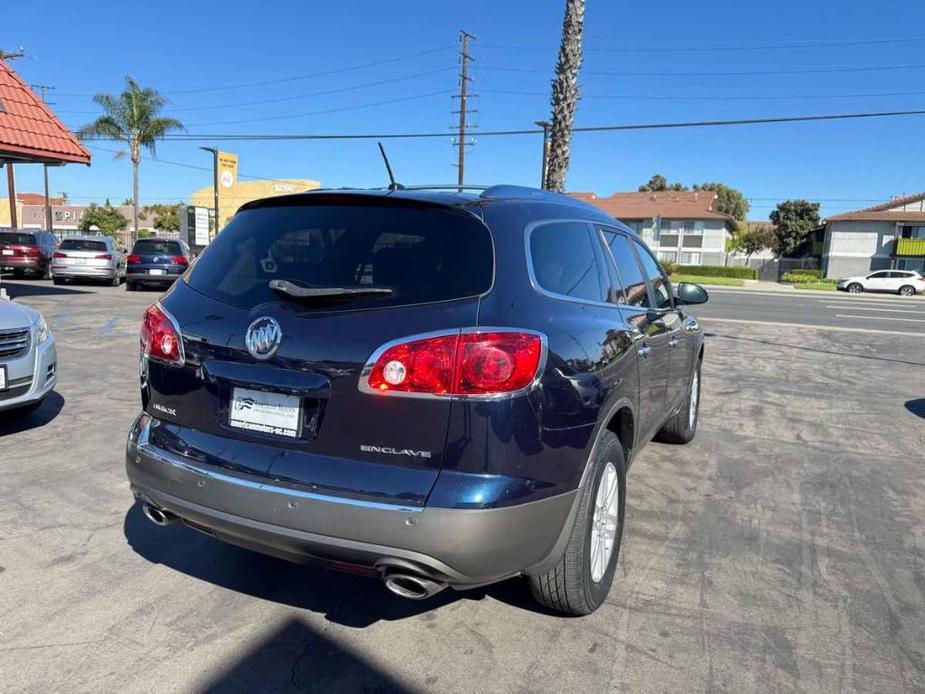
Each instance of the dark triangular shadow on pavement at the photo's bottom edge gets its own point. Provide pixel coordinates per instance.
(297, 656)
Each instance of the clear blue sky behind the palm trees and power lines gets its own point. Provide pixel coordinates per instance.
(181, 48)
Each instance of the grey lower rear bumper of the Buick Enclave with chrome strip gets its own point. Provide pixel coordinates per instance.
(460, 546)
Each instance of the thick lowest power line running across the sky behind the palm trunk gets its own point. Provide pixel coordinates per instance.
(503, 133)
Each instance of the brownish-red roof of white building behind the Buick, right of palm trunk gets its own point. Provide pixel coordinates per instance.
(668, 204)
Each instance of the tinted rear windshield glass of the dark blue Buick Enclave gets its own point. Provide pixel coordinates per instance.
(422, 255)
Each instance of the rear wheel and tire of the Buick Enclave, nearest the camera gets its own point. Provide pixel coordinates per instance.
(581, 581)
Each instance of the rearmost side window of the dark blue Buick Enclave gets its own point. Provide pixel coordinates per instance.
(564, 262)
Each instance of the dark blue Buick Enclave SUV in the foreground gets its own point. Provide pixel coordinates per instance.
(436, 388)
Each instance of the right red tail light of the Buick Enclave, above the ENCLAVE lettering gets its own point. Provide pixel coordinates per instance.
(494, 362)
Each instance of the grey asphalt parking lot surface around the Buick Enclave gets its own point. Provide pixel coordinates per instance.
(784, 549)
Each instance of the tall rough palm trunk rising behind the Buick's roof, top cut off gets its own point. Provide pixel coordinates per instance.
(565, 94)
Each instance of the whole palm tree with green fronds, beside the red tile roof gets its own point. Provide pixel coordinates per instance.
(131, 117)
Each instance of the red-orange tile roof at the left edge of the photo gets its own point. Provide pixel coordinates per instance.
(29, 131)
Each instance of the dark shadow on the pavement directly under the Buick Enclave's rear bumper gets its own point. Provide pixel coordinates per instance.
(355, 601)
